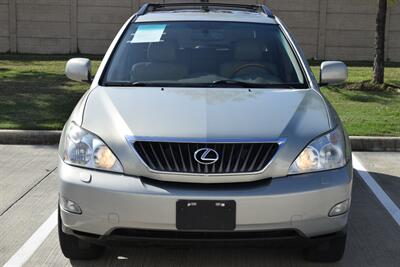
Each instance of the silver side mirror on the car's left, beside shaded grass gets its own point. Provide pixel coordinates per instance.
(79, 69)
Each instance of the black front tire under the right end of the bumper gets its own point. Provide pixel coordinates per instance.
(330, 250)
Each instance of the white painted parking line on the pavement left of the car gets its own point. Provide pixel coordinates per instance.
(33, 243)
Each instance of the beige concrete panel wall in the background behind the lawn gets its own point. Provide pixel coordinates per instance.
(326, 29)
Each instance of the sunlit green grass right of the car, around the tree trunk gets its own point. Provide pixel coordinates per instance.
(363, 112)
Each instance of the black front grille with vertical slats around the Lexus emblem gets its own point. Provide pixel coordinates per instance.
(179, 157)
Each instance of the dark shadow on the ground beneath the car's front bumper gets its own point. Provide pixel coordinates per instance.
(196, 257)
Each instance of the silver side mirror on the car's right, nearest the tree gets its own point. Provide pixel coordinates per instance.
(332, 72)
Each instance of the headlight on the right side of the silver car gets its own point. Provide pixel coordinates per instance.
(324, 153)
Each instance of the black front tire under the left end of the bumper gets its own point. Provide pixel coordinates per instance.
(75, 248)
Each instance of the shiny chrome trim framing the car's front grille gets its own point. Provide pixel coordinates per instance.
(132, 139)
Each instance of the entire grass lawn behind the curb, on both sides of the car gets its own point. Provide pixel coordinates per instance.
(35, 94)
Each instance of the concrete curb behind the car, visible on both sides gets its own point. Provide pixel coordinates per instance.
(42, 137)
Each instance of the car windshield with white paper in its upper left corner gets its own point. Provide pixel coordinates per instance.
(203, 53)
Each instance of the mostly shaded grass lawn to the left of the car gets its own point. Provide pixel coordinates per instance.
(35, 93)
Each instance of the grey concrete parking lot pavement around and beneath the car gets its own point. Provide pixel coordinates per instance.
(28, 196)
